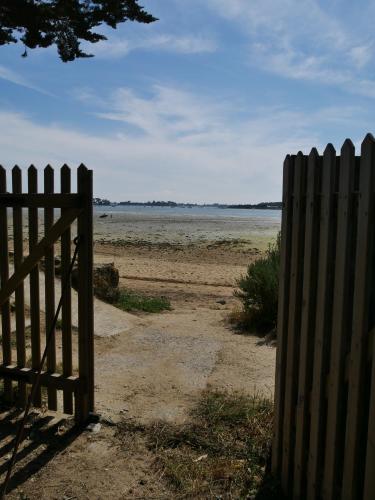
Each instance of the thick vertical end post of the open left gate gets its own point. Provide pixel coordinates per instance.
(85, 295)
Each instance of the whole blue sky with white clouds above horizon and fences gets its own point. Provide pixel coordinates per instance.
(200, 106)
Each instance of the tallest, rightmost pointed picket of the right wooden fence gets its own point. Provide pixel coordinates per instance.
(364, 276)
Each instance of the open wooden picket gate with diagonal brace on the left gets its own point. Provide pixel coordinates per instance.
(40, 240)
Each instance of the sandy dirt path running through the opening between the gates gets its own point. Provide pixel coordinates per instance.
(156, 370)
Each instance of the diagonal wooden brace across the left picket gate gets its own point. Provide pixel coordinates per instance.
(39, 251)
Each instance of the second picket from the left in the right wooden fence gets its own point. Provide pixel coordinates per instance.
(294, 323)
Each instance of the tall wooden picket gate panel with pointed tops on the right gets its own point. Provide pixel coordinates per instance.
(324, 439)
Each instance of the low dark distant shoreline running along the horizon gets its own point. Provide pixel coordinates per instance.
(274, 205)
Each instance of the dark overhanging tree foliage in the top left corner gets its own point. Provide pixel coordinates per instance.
(41, 23)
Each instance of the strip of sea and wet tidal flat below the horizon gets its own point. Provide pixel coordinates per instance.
(185, 225)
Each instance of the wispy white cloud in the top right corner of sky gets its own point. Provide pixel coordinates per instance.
(302, 40)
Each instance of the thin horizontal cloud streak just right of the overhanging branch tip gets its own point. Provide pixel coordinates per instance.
(120, 47)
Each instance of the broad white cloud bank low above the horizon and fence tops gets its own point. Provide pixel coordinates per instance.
(175, 144)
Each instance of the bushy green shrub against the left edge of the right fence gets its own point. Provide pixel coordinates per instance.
(258, 290)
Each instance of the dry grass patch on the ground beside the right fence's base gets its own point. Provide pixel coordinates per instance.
(222, 452)
